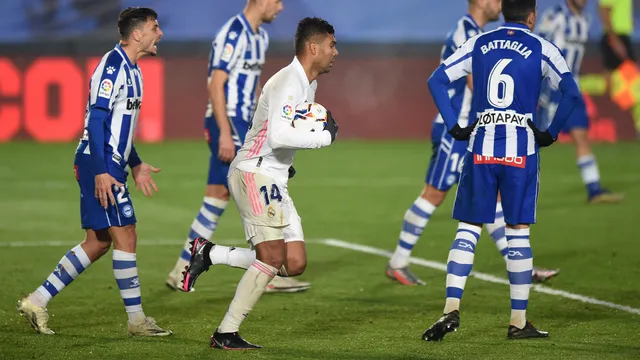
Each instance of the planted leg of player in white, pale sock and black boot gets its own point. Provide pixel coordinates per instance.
(271, 257)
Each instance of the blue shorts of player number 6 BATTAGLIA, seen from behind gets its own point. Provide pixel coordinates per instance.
(517, 180)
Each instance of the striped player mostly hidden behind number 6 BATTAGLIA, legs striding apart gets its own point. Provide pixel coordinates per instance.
(448, 154)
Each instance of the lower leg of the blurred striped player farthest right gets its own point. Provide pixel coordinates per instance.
(589, 169)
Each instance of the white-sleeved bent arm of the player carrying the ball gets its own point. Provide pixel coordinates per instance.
(280, 133)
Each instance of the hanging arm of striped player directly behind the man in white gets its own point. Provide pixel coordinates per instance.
(226, 52)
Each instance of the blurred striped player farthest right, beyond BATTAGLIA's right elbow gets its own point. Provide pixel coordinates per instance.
(567, 28)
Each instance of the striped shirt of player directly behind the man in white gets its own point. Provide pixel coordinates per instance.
(240, 52)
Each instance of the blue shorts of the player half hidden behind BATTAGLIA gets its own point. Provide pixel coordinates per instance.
(446, 163)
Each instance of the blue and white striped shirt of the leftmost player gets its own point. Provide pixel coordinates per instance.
(115, 86)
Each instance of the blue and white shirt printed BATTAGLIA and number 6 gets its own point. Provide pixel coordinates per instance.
(508, 66)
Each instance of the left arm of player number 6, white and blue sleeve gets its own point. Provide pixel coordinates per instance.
(452, 69)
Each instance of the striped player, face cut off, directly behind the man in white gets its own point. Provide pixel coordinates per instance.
(235, 64)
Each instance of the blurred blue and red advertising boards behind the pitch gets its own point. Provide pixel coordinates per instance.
(49, 48)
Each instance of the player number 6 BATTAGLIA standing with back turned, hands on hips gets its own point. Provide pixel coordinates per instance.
(509, 65)
